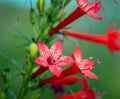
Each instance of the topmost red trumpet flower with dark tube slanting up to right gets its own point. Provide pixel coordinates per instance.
(83, 8)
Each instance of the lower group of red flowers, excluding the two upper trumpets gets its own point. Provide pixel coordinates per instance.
(53, 59)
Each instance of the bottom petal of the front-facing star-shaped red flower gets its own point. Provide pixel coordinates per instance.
(55, 70)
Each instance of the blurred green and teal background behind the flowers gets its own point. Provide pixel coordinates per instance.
(108, 71)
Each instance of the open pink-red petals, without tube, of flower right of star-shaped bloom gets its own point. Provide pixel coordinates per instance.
(85, 65)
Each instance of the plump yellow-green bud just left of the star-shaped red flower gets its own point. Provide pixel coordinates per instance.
(33, 49)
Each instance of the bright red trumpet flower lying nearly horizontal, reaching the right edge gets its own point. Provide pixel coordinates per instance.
(110, 39)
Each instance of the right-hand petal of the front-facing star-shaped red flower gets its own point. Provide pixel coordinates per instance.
(65, 60)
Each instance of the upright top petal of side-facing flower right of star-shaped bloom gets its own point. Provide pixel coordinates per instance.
(77, 55)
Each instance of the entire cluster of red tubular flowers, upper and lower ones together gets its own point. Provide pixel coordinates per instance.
(52, 59)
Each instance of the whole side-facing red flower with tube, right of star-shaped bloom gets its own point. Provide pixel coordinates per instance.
(82, 66)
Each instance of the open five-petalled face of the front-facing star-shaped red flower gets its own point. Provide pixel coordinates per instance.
(52, 58)
